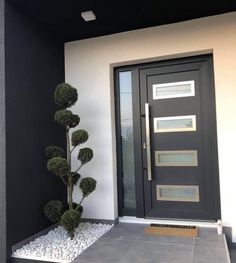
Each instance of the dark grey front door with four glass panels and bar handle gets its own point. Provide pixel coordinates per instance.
(179, 140)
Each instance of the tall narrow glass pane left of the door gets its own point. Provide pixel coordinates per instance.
(126, 121)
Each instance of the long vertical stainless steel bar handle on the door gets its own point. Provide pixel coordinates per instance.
(148, 145)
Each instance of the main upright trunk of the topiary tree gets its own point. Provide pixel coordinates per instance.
(70, 185)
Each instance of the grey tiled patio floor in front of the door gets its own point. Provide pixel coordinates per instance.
(127, 243)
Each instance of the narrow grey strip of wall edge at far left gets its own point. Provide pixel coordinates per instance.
(2, 141)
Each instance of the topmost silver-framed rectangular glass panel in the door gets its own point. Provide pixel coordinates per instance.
(173, 90)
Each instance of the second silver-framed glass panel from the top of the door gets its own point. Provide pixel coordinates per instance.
(175, 124)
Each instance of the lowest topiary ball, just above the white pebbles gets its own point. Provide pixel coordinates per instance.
(70, 221)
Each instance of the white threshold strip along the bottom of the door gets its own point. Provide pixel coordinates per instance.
(135, 220)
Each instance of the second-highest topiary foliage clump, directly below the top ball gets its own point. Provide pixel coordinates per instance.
(66, 118)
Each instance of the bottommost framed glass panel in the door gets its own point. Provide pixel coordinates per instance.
(187, 193)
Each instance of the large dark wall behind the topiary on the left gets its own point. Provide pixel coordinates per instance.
(34, 65)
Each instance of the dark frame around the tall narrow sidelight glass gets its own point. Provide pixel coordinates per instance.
(137, 144)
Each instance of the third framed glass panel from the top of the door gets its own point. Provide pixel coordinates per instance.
(176, 158)
